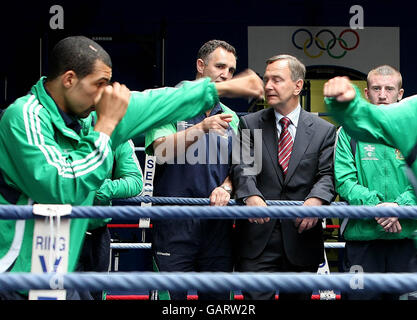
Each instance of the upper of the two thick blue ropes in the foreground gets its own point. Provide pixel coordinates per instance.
(210, 212)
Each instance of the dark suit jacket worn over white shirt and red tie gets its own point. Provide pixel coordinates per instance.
(310, 174)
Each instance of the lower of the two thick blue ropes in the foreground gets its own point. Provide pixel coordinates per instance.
(210, 282)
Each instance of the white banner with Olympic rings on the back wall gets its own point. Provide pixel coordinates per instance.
(360, 50)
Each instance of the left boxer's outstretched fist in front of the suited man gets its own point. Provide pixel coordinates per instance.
(245, 84)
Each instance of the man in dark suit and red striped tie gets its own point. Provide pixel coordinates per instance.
(296, 164)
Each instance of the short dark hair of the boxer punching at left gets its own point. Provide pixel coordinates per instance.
(77, 53)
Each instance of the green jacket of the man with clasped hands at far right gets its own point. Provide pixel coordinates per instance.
(374, 175)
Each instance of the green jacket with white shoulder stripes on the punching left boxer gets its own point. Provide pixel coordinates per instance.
(46, 162)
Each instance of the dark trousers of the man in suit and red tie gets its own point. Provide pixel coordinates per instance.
(273, 259)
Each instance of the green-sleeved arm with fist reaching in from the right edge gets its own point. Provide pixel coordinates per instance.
(393, 125)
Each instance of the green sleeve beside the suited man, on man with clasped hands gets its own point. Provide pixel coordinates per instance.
(346, 175)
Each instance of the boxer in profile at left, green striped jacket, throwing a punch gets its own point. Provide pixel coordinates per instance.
(44, 161)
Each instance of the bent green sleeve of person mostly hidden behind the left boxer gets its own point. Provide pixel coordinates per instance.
(127, 179)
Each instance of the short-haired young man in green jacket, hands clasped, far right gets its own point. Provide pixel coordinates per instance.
(373, 174)
